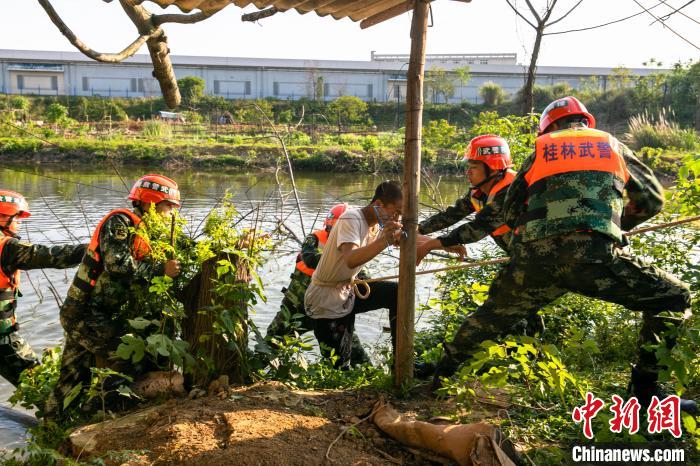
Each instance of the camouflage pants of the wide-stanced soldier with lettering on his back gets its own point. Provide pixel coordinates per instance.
(519, 290)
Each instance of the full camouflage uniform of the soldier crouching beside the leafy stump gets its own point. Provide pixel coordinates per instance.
(95, 321)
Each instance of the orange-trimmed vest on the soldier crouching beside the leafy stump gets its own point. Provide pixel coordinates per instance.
(91, 266)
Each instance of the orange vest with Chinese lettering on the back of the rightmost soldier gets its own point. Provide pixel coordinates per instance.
(576, 183)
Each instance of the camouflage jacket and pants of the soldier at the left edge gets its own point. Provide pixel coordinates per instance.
(15, 353)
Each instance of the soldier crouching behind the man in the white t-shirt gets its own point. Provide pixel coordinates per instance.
(291, 316)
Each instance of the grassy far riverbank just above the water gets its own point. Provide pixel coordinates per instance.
(216, 155)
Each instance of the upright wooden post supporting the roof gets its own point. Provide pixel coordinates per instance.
(411, 189)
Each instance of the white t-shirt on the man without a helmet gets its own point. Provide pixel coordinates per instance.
(329, 295)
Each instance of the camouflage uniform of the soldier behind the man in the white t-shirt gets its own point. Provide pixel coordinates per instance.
(292, 307)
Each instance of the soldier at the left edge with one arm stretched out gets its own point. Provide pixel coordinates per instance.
(15, 353)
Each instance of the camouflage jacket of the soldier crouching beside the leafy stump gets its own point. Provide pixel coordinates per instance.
(98, 322)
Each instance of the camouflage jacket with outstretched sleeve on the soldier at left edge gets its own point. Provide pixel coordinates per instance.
(18, 255)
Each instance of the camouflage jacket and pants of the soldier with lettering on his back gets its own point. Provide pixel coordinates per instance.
(545, 266)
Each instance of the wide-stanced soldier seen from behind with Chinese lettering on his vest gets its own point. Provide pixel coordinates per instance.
(567, 209)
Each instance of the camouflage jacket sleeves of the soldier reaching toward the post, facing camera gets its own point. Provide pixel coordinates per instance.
(483, 224)
